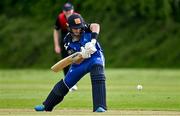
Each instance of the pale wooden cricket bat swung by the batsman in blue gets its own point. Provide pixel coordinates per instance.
(66, 61)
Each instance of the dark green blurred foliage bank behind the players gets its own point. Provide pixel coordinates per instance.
(140, 33)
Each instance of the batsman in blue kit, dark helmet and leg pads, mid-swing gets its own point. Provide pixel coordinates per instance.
(82, 37)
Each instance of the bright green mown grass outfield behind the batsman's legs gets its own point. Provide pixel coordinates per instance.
(23, 89)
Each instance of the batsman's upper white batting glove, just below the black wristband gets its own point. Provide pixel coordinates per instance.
(90, 46)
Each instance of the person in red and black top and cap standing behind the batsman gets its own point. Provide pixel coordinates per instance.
(60, 31)
